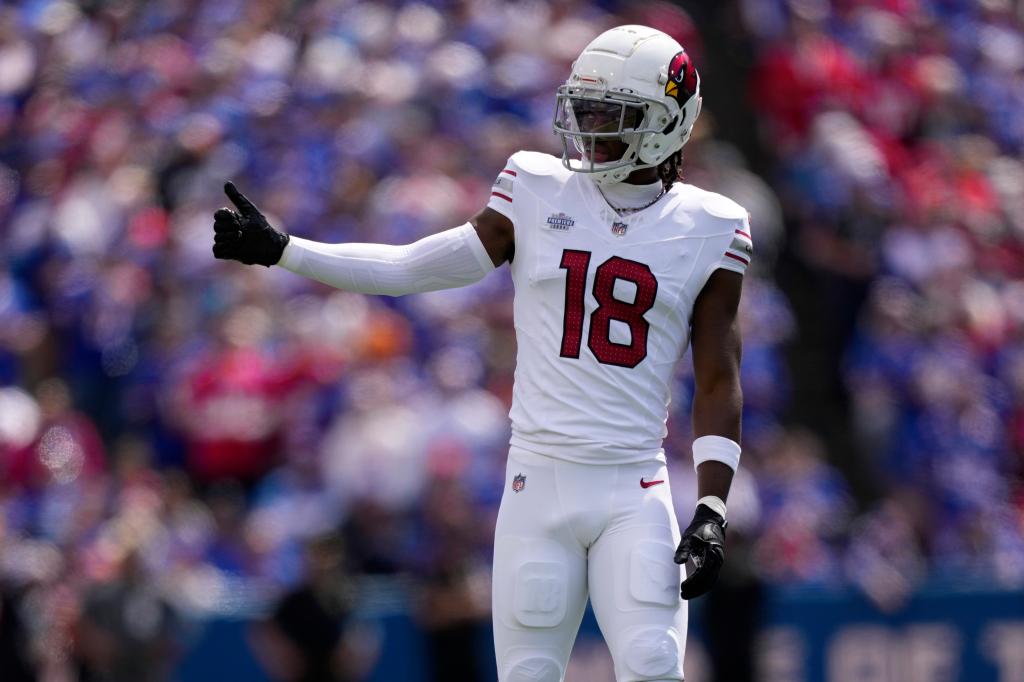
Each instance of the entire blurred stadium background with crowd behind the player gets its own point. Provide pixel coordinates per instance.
(215, 473)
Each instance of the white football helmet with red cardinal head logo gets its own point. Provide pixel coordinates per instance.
(632, 87)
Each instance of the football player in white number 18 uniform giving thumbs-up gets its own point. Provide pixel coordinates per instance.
(618, 268)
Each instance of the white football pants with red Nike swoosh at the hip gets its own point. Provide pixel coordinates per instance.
(566, 530)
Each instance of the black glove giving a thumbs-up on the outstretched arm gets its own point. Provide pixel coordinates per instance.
(246, 236)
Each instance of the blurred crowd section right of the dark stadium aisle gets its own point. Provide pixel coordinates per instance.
(897, 139)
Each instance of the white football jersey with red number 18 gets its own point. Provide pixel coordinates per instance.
(604, 306)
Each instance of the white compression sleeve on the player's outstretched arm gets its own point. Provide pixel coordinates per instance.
(453, 259)
